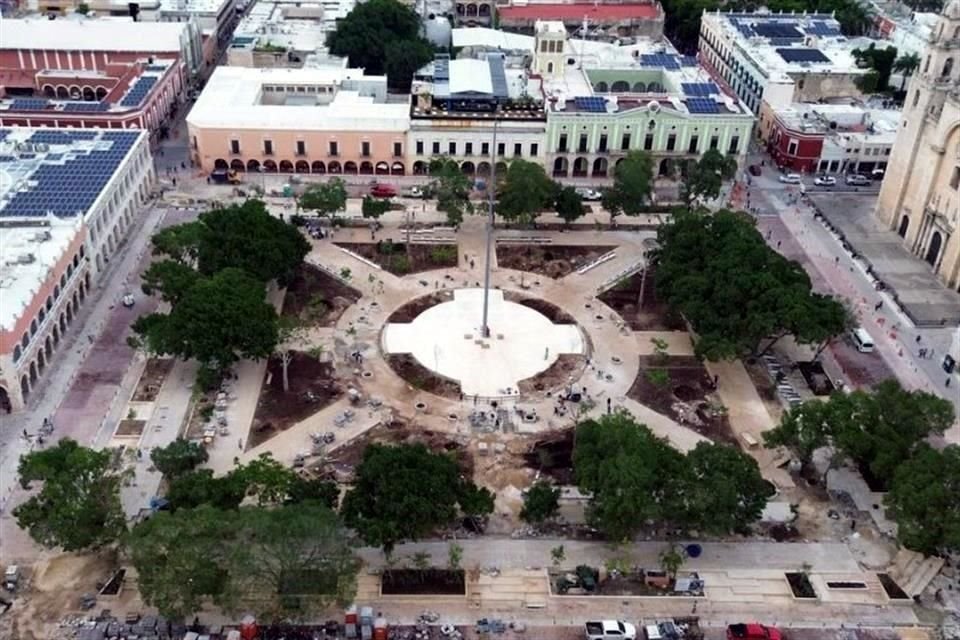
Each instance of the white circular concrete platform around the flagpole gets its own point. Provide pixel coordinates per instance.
(447, 340)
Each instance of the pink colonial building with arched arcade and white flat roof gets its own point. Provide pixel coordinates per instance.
(309, 121)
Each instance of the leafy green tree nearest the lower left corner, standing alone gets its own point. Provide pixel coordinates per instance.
(78, 507)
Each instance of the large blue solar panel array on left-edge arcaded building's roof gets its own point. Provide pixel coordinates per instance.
(68, 183)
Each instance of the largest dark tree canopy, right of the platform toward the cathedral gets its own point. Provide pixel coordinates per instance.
(718, 271)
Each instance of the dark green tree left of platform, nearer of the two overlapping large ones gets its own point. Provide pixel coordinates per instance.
(218, 320)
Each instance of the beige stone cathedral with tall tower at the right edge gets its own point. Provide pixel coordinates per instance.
(920, 197)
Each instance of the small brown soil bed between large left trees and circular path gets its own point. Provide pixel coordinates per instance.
(316, 297)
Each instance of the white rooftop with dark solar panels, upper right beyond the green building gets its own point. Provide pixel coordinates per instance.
(781, 45)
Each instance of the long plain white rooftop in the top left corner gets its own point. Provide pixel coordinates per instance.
(95, 34)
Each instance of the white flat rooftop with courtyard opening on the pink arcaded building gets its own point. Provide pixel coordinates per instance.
(234, 99)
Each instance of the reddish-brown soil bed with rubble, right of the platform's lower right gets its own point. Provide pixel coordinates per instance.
(679, 387)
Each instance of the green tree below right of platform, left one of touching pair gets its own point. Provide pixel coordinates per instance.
(626, 470)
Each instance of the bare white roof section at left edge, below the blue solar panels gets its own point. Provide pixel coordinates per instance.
(29, 253)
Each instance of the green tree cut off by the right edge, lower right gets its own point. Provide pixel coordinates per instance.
(924, 499)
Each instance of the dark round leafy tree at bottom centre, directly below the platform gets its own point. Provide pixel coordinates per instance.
(405, 492)
